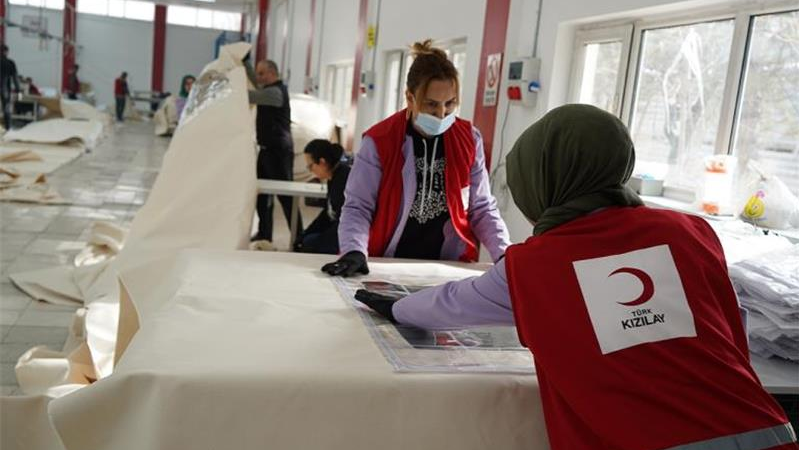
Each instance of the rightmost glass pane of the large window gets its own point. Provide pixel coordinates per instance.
(768, 119)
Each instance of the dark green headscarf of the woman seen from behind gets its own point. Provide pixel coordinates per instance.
(572, 161)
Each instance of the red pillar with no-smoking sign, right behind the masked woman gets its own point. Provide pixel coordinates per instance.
(494, 30)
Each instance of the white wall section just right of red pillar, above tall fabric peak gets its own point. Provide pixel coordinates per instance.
(188, 50)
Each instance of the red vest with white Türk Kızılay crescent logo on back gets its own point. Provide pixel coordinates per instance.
(636, 334)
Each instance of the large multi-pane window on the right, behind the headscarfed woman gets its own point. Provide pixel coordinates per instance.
(726, 83)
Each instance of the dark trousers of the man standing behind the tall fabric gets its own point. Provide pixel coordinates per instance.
(275, 165)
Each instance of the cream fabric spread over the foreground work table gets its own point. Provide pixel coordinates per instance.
(256, 350)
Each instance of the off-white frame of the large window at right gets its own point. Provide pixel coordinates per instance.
(743, 17)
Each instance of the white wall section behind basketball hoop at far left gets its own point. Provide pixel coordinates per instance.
(40, 60)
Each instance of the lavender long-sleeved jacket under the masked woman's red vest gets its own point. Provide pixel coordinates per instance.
(361, 198)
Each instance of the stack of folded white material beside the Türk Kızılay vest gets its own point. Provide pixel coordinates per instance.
(768, 287)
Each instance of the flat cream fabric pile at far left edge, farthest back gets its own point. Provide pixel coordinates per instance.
(56, 131)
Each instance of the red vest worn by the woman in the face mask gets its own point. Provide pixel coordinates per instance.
(459, 148)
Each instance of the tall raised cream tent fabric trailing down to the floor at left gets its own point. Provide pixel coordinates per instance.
(212, 209)
